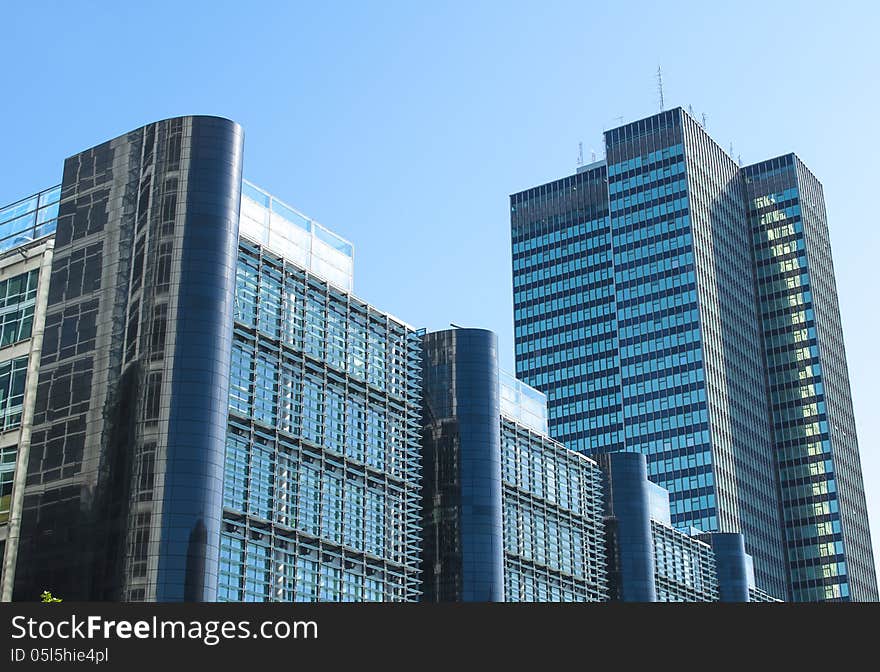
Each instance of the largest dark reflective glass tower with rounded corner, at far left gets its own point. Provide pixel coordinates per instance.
(139, 313)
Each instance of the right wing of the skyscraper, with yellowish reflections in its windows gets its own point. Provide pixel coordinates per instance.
(826, 522)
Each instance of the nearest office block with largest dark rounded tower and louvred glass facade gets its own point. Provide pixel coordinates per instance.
(209, 408)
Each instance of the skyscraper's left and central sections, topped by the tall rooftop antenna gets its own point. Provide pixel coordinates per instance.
(636, 311)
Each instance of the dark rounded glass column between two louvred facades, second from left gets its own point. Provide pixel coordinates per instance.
(461, 461)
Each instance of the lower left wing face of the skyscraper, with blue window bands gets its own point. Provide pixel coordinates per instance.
(564, 320)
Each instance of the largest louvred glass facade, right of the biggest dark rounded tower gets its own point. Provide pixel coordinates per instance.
(322, 474)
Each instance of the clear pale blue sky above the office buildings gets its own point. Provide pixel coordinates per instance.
(404, 126)
